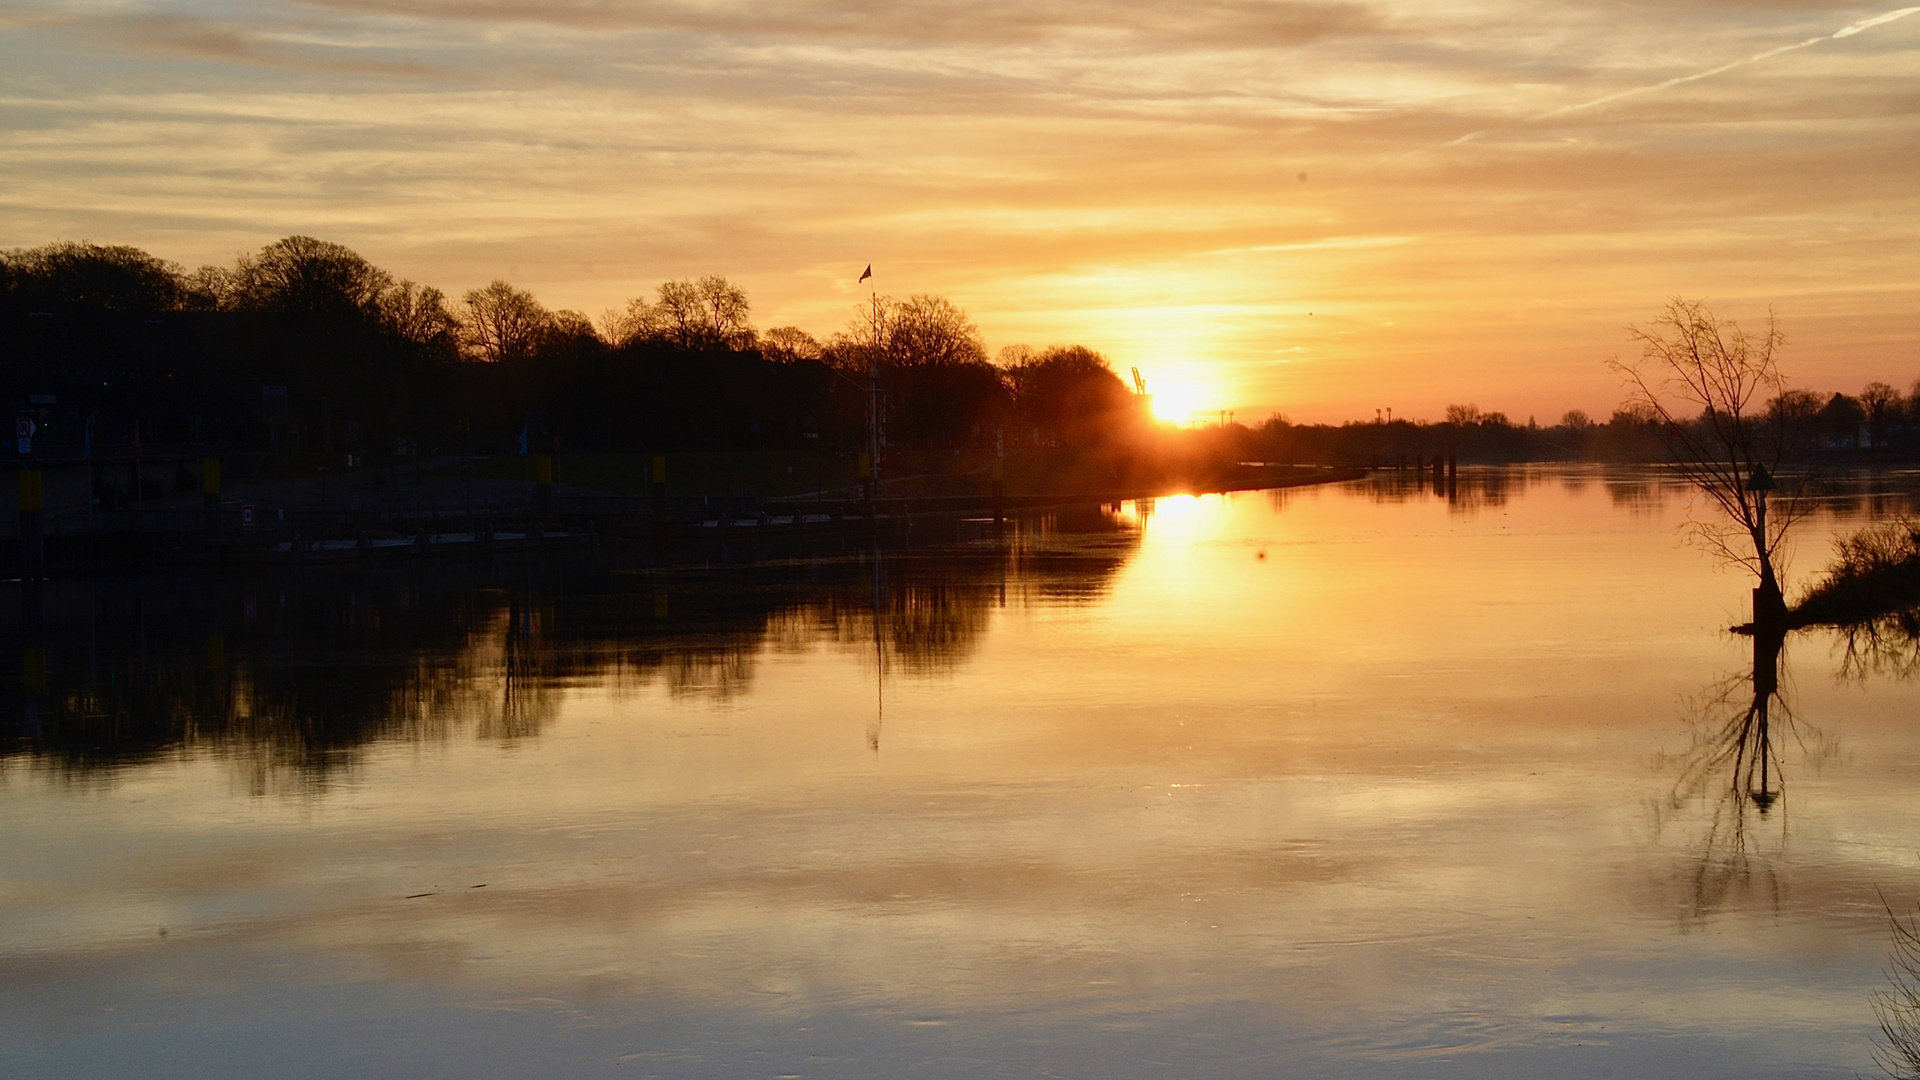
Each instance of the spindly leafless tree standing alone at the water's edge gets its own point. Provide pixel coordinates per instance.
(1708, 385)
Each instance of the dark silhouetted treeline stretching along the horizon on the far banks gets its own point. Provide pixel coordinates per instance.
(306, 347)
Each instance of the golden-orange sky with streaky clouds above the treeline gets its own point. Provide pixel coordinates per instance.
(1307, 209)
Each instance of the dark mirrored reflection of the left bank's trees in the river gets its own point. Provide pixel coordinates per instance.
(293, 675)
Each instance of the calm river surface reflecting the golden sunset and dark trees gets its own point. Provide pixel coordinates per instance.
(1351, 781)
